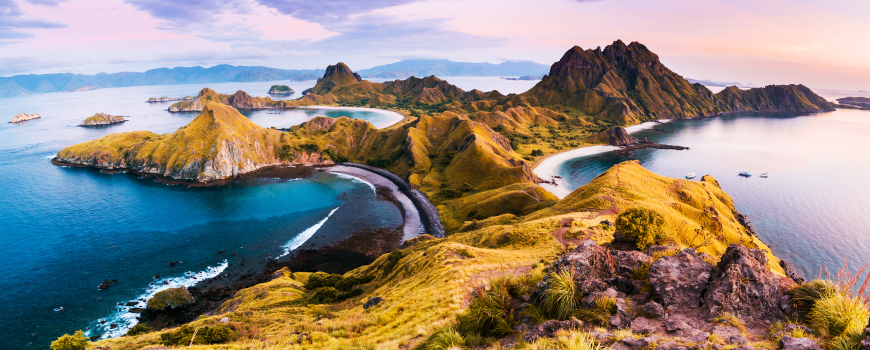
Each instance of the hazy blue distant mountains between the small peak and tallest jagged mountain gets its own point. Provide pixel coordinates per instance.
(425, 68)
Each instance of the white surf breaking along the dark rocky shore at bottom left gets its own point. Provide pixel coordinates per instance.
(124, 319)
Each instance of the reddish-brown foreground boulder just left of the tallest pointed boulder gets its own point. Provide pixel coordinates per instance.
(679, 281)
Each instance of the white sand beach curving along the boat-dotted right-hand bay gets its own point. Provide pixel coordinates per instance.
(546, 168)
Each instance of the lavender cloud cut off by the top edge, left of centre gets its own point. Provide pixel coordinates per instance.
(330, 10)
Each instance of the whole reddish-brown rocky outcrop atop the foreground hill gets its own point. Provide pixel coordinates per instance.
(685, 292)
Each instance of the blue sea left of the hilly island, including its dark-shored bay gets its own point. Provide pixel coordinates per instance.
(65, 230)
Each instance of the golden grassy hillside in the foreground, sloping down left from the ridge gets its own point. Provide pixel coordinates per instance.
(428, 284)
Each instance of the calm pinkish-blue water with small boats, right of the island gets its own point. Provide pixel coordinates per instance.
(813, 210)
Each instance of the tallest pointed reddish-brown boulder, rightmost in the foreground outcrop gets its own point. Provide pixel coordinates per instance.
(744, 286)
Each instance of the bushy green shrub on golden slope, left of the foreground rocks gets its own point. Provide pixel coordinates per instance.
(490, 313)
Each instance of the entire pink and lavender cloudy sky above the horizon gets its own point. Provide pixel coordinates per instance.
(822, 45)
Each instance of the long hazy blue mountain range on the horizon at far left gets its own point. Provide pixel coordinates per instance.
(21, 85)
